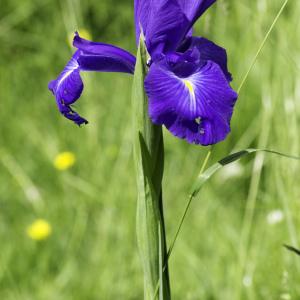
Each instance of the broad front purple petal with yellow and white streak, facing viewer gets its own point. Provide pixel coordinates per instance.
(197, 107)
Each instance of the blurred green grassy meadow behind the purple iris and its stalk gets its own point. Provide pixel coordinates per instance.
(230, 247)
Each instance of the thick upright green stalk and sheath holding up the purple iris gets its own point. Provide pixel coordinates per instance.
(149, 164)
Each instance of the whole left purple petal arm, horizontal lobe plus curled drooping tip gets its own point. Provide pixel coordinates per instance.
(90, 56)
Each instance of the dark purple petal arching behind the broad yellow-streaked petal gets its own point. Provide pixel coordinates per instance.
(208, 51)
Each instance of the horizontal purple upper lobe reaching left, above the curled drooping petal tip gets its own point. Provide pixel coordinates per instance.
(103, 57)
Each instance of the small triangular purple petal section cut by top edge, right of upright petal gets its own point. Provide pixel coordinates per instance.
(193, 9)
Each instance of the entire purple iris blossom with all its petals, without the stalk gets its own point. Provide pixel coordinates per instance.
(188, 83)
